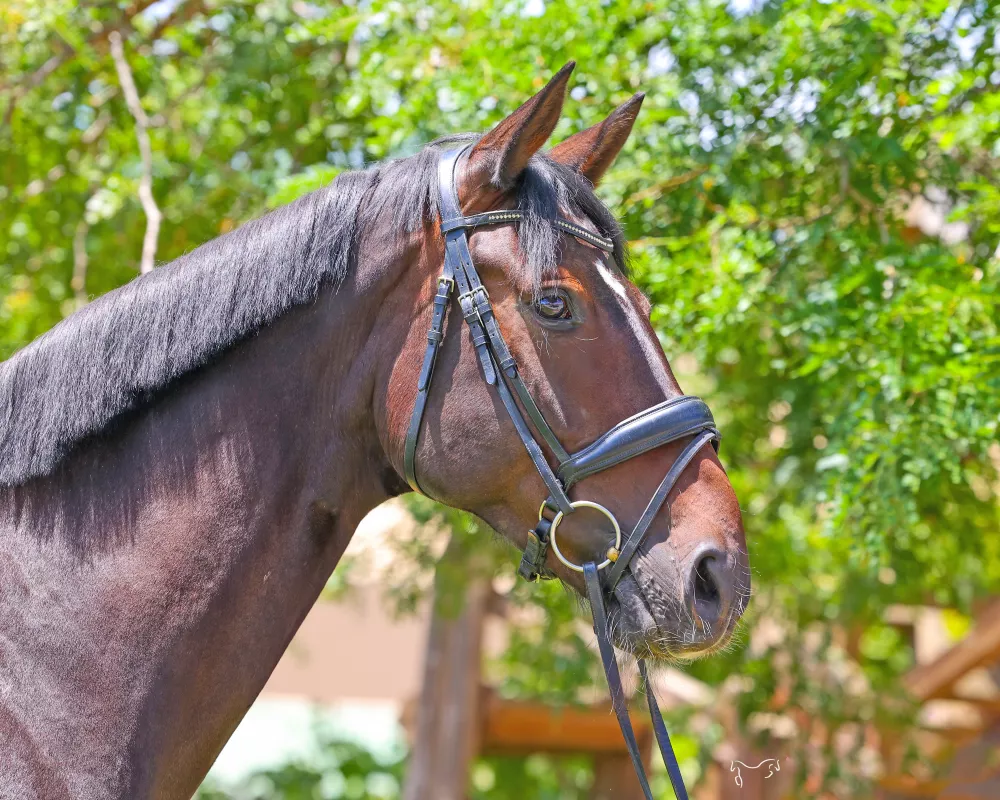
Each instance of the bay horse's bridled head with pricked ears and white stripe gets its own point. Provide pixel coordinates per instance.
(559, 327)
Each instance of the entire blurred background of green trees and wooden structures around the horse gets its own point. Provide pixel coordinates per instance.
(811, 195)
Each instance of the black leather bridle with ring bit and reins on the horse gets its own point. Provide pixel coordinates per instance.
(669, 421)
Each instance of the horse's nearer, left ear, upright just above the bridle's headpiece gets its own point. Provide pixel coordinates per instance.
(502, 154)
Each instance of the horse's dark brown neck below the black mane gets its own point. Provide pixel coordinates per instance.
(179, 556)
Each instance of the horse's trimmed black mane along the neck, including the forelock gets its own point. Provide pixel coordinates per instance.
(114, 355)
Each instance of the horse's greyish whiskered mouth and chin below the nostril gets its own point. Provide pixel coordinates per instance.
(671, 636)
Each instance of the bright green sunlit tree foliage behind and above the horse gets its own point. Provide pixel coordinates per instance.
(850, 350)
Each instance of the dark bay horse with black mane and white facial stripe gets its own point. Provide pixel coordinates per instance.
(184, 460)
